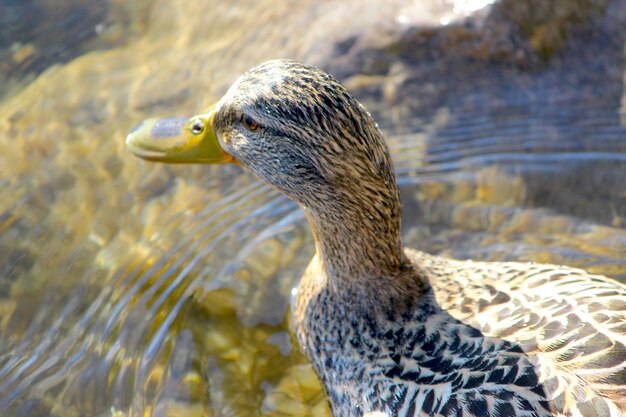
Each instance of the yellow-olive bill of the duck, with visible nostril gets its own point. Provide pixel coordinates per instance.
(178, 141)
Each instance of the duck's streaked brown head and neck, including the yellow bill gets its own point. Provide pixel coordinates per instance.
(298, 129)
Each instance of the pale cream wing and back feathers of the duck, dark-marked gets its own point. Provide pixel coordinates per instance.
(573, 322)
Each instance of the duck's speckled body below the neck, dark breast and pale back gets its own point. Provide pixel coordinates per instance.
(487, 339)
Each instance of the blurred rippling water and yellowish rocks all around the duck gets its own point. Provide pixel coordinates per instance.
(137, 289)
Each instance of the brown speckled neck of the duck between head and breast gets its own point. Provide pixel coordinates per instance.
(357, 234)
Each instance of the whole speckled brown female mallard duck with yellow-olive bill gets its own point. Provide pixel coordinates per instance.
(392, 331)
